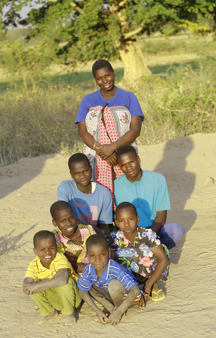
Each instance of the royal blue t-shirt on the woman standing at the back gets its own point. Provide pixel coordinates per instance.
(121, 98)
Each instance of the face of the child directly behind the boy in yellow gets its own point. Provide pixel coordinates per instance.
(65, 220)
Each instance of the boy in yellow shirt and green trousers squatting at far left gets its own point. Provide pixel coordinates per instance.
(49, 280)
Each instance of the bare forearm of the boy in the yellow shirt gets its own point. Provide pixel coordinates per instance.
(30, 286)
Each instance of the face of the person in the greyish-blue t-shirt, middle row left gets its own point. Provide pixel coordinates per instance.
(81, 172)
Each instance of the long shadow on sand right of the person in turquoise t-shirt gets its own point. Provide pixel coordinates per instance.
(181, 185)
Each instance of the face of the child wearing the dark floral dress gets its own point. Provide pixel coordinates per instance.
(126, 220)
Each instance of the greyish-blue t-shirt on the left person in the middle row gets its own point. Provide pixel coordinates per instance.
(91, 208)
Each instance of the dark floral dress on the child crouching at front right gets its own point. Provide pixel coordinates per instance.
(138, 256)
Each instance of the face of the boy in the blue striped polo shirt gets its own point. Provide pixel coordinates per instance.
(98, 256)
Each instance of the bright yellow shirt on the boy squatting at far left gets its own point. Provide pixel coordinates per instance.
(39, 272)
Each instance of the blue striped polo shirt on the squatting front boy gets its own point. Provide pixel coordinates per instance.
(113, 271)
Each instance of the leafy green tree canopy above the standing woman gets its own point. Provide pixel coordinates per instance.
(90, 29)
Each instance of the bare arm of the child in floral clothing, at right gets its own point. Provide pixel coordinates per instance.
(162, 262)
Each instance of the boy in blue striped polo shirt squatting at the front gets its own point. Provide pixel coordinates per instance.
(106, 281)
